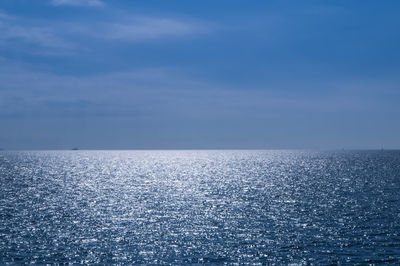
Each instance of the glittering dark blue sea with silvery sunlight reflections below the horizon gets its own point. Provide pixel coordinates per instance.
(200, 207)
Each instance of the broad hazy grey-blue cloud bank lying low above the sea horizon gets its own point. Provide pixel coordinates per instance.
(147, 103)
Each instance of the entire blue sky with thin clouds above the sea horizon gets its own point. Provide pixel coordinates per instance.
(100, 74)
